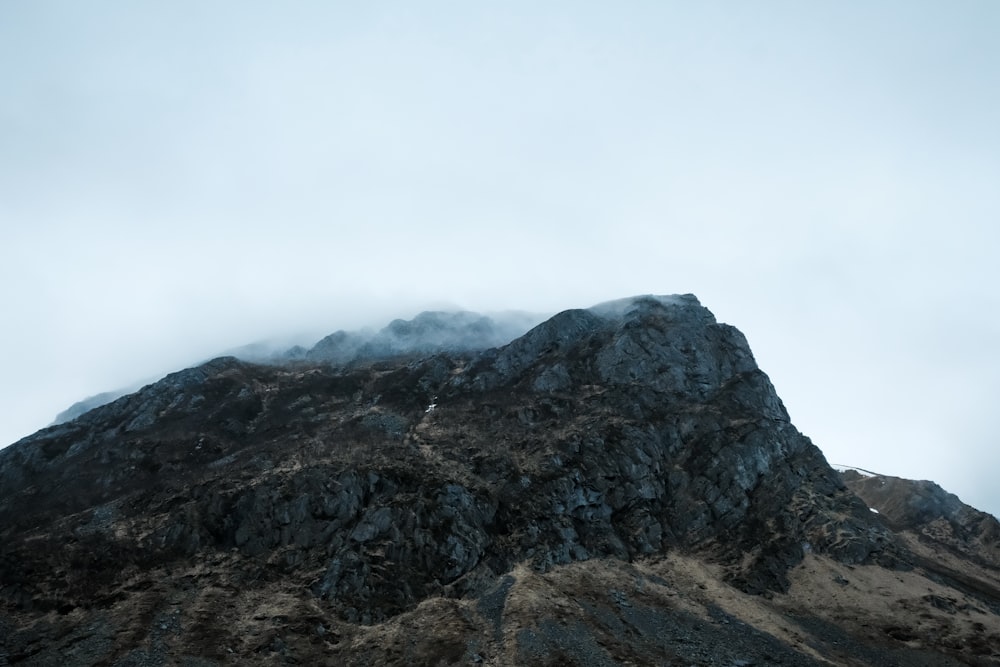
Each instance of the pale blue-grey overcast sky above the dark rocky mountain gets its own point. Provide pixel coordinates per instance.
(179, 178)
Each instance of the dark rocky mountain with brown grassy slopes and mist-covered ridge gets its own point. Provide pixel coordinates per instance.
(619, 485)
